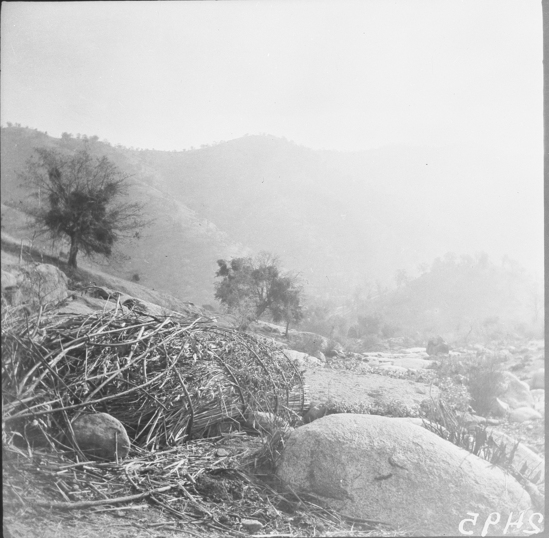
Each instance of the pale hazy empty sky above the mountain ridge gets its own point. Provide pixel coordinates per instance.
(335, 75)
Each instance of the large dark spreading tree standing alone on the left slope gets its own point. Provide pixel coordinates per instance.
(80, 198)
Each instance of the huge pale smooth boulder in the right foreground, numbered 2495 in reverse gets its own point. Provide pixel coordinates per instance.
(373, 467)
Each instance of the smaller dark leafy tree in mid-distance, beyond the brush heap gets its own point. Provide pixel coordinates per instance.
(259, 286)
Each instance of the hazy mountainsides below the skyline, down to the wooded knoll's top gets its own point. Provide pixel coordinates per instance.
(337, 218)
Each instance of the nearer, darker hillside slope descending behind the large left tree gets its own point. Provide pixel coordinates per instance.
(176, 254)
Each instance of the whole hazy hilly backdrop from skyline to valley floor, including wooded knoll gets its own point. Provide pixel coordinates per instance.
(359, 231)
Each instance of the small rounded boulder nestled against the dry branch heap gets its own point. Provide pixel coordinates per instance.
(101, 436)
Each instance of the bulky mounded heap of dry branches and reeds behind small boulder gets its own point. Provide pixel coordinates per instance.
(167, 379)
